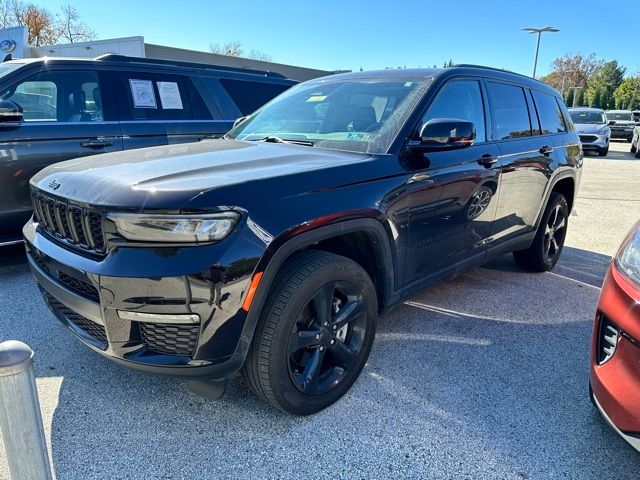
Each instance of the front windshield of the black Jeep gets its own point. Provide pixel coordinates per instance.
(359, 115)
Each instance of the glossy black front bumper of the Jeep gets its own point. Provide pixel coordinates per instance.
(189, 326)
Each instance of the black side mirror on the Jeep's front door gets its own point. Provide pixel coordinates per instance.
(444, 134)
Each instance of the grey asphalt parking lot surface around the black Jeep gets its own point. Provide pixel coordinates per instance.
(484, 376)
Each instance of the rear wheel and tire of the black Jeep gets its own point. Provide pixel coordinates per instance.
(544, 252)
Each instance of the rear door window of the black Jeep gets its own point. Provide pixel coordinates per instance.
(508, 111)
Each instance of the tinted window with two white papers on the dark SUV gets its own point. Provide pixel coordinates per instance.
(157, 96)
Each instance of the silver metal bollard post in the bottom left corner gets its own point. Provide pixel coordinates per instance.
(20, 418)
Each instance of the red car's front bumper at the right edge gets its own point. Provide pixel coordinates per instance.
(616, 382)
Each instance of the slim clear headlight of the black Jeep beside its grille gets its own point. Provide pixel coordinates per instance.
(174, 228)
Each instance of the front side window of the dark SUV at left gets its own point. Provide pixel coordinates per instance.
(58, 96)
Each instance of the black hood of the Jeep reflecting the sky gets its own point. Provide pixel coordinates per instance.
(166, 177)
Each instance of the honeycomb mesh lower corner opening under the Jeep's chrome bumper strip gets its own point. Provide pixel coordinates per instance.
(169, 339)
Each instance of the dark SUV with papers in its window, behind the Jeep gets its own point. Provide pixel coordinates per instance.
(56, 109)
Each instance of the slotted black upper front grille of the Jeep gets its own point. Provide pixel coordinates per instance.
(79, 227)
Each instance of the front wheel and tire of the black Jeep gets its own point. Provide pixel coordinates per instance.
(314, 334)
